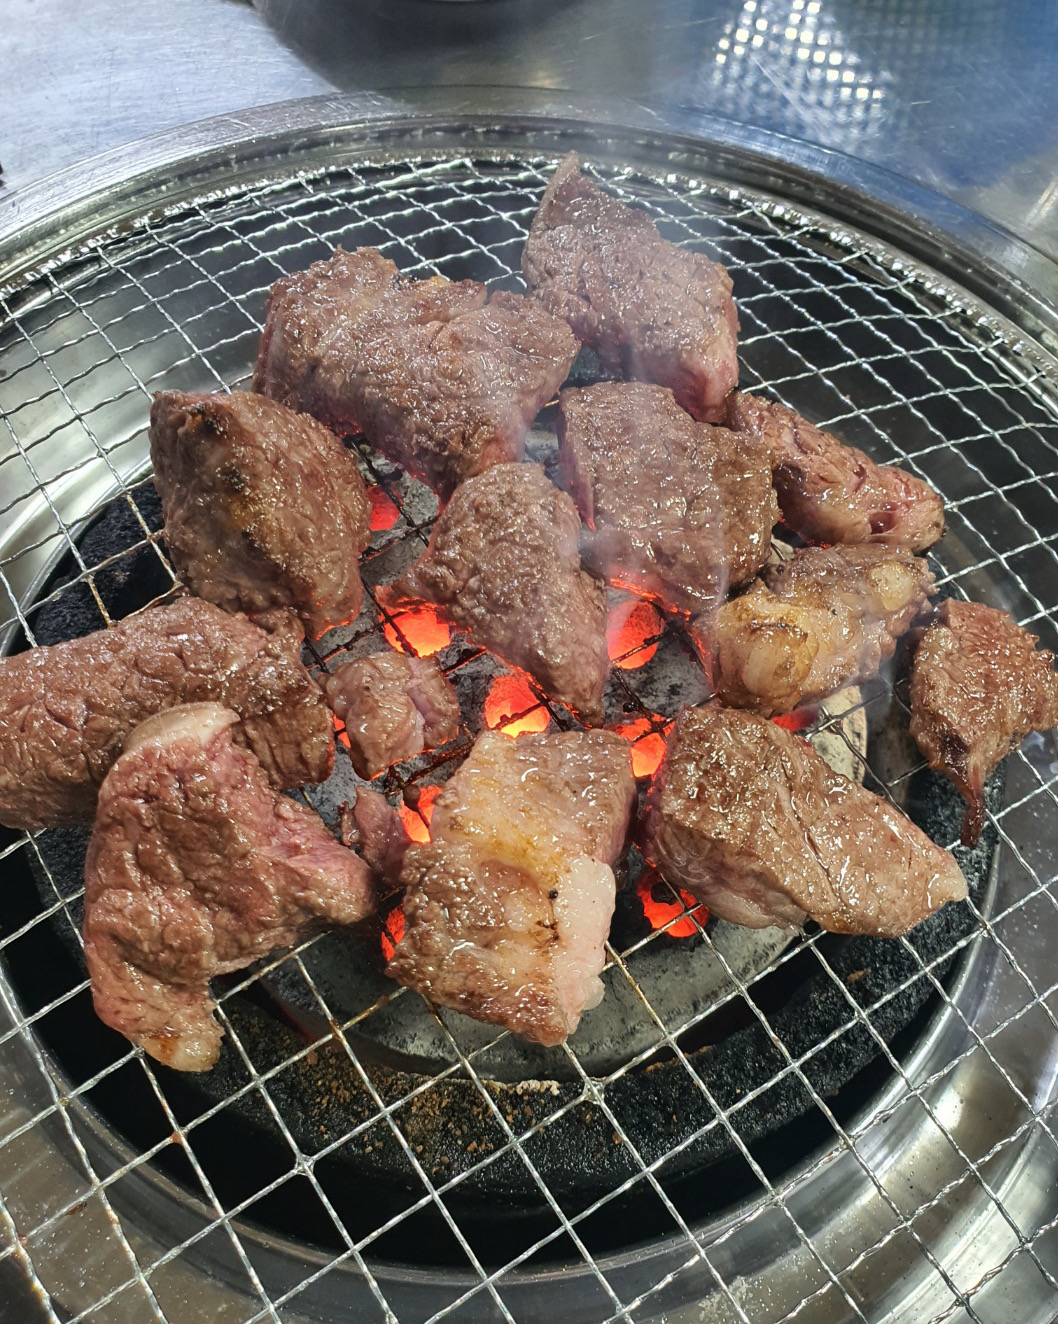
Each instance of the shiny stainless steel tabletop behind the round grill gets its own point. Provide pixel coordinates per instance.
(955, 95)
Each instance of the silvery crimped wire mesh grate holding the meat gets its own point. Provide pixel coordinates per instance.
(832, 325)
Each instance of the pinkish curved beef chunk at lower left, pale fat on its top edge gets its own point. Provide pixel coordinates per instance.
(197, 868)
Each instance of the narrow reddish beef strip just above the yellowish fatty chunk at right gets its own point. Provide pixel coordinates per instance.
(831, 493)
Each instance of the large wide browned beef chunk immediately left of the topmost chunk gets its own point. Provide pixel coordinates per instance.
(435, 374)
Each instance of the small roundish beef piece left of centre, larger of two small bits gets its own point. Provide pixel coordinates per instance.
(394, 708)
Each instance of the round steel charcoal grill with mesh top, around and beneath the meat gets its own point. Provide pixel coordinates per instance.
(741, 1119)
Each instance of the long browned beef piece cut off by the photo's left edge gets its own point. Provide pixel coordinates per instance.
(67, 710)
